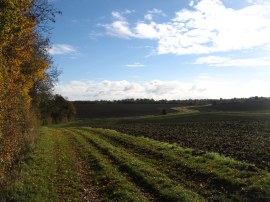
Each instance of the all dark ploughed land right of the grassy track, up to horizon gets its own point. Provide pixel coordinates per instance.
(238, 130)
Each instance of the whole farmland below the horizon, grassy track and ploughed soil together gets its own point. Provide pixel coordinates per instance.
(188, 154)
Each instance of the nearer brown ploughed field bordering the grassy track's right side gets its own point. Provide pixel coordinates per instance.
(241, 135)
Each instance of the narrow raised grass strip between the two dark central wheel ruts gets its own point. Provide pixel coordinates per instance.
(155, 180)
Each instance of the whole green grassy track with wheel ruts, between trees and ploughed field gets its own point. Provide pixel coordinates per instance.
(87, 164)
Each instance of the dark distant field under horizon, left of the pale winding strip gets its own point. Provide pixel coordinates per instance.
(87, 110)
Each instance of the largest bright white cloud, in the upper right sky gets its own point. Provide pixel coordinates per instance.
(207, 27)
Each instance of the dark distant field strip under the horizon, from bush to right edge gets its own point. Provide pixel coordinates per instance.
(87, 110)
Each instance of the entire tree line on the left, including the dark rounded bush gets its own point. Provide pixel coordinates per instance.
(27, 77)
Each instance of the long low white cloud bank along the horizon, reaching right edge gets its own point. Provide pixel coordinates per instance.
(199, 88)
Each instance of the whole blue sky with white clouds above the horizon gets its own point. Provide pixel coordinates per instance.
(157, 49)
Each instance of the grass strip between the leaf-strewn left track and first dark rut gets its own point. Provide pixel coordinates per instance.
(114, 185)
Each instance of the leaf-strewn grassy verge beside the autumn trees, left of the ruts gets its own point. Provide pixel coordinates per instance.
(48, 174)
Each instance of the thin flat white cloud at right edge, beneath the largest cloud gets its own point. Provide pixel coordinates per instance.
(230, 62)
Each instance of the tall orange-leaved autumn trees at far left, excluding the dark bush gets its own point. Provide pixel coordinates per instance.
(24, 61)
